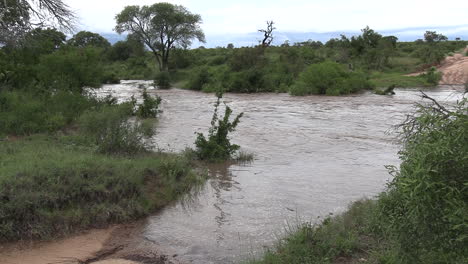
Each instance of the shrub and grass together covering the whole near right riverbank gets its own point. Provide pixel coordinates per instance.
(420, 218)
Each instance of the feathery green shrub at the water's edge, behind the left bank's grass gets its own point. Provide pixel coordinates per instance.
(110, 129)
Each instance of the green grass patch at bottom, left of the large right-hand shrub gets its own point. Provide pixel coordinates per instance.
(352, 237)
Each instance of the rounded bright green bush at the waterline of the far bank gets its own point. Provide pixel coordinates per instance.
(329, 78)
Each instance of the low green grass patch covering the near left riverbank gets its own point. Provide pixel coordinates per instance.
(50, 187)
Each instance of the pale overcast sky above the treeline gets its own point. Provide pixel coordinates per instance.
(244, 16)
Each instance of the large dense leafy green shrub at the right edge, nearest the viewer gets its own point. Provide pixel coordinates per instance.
(426, 203)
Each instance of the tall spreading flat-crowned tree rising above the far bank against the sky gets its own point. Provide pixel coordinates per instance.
(161, 27)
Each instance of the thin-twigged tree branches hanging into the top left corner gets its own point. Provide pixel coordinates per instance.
(17, 17)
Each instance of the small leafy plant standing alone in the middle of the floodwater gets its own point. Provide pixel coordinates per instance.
(217, 145)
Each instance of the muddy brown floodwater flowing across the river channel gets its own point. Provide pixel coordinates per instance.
(313, 156)
